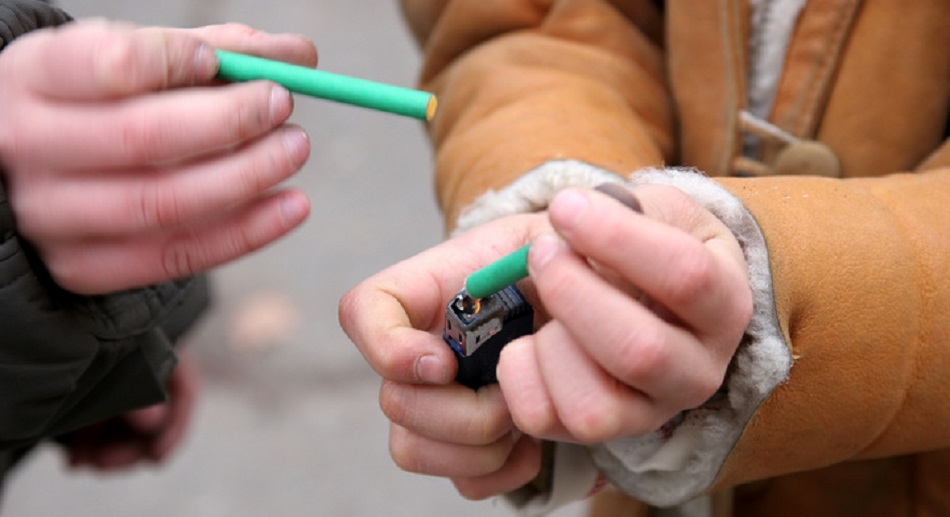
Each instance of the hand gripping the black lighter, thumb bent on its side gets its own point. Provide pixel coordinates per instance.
(439, 427)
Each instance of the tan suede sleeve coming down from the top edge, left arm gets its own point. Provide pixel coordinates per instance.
(510, 75)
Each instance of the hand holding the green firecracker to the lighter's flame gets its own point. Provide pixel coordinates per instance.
(646, 313)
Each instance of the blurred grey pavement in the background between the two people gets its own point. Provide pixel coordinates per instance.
(288, 422)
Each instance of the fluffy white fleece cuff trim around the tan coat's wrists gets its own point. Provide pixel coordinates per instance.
(673, 470)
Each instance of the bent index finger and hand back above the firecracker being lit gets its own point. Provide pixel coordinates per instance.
(677, 254)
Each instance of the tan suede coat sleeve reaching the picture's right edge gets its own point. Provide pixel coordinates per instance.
(859, 269)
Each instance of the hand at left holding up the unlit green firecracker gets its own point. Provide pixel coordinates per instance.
(128, 164)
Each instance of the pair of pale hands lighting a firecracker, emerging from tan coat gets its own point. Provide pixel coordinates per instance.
(639, 316)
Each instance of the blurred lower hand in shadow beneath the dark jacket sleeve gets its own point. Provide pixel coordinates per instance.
(148, 434)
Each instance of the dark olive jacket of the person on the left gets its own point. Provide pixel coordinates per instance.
(67, 360)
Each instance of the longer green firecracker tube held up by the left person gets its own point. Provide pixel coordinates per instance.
(326, 85)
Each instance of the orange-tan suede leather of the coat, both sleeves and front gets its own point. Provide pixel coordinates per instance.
(862, 426)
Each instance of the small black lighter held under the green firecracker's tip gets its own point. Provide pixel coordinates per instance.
(477, 330)
